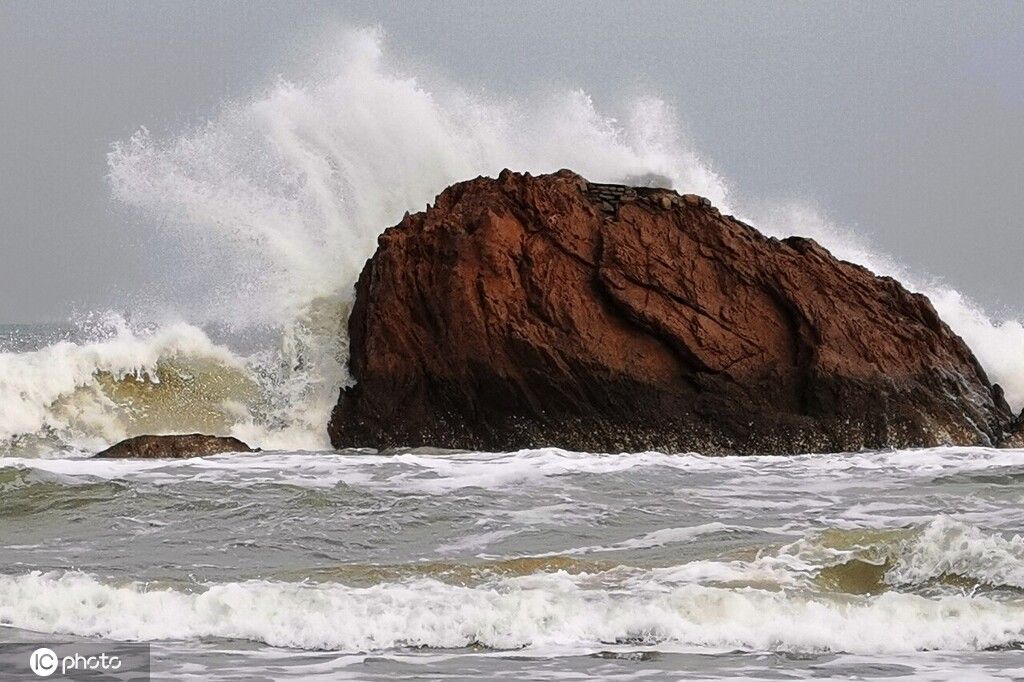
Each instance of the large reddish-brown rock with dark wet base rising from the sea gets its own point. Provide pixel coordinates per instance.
(531, 312)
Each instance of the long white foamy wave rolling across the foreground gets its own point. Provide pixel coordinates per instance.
(548, 610)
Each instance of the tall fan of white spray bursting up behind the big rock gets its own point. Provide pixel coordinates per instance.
(277, 203)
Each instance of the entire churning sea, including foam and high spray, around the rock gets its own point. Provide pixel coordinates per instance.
(304, 564)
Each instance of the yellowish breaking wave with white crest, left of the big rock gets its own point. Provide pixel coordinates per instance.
(84, 396)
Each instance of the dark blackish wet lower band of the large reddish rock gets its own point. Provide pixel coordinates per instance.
(900, 417)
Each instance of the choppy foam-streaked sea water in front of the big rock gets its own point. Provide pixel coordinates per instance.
(539, 565)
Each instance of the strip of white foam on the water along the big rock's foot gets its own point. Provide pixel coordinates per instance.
(442, 475)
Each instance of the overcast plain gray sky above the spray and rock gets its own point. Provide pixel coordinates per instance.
(904, 120)
